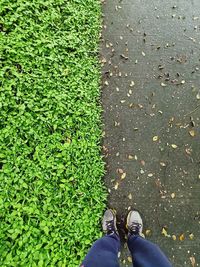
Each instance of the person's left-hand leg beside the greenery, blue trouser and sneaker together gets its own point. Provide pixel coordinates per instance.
(104, 252)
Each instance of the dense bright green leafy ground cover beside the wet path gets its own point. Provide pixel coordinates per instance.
(51, 190)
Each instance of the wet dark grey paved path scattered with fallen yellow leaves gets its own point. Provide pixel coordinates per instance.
(151, 98)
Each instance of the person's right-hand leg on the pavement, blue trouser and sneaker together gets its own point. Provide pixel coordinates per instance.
(144, 253)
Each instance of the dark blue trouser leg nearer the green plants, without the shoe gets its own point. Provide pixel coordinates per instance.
(104, 252)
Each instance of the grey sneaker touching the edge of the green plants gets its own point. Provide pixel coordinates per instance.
(109, 222)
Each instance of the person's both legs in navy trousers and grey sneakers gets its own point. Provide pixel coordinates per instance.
(104, 252)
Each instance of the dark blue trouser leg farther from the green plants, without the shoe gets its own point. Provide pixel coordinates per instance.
(146, 254)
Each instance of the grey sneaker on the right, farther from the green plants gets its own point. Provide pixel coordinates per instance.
(134, 223)
